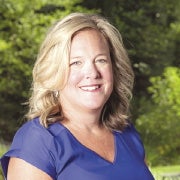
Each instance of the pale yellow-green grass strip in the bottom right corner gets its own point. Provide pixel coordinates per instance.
(158, 171)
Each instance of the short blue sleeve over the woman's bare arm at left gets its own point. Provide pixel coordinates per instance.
(34, 144)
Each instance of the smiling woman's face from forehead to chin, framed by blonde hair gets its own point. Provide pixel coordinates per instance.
(90, 80)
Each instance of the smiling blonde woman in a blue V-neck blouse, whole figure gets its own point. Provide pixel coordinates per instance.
(79, 128)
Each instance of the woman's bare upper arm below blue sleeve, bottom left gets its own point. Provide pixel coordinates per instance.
(19, 169)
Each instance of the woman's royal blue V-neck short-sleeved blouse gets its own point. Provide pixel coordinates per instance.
(58, 153)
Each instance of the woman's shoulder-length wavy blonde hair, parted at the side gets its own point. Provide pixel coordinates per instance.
(51, 69)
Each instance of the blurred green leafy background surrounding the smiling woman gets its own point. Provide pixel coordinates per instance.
(151, 34)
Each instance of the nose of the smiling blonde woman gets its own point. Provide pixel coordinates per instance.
(91, 71)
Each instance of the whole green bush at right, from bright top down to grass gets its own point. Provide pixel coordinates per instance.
(160, 123)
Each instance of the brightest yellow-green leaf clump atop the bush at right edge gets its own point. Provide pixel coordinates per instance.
(166, 89)
